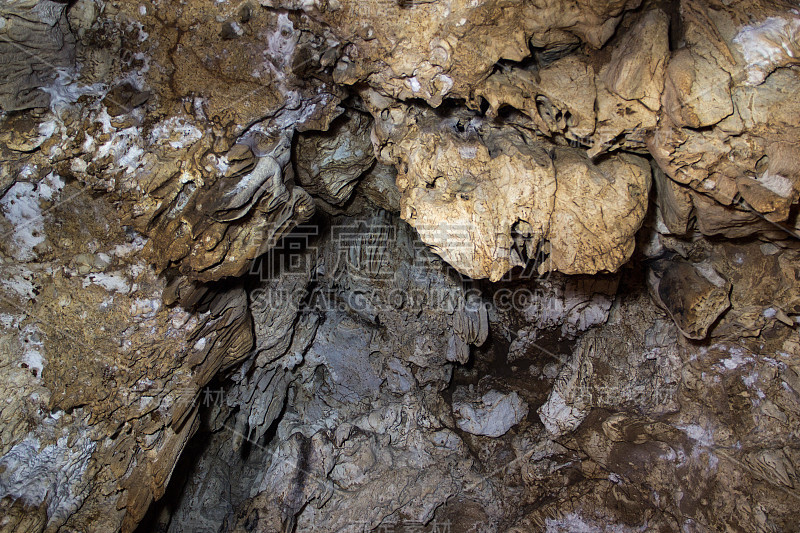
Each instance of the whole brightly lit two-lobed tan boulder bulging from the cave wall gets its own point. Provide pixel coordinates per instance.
(461, 184)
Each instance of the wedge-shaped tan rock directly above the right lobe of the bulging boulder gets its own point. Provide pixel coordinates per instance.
(603, 103)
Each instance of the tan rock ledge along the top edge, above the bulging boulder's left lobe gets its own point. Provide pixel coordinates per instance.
(444, 50)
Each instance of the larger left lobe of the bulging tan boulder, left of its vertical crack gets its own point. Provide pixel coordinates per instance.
(458, 196)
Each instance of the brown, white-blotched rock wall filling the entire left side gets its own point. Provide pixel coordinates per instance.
(89, 322)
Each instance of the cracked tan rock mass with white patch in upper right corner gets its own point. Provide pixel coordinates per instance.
(725, 131)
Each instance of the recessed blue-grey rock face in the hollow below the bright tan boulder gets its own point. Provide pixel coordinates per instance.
(364, 434)
